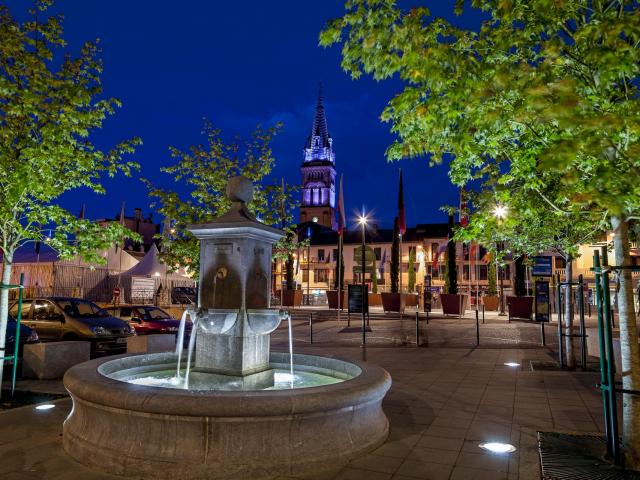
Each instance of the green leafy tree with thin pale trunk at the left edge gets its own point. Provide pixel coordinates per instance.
(49, 106)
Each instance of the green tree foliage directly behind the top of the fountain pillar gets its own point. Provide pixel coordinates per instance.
(206, 169)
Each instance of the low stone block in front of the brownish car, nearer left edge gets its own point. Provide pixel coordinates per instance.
(50, 360)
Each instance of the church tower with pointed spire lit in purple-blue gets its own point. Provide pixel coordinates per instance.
(319, 172)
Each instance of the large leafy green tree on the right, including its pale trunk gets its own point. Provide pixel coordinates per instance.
(553, 85)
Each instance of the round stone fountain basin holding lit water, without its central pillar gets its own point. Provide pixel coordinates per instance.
(124, 423)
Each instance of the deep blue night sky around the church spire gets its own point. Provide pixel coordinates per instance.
(240, 64)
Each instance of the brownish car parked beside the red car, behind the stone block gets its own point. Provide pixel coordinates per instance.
(66, 318)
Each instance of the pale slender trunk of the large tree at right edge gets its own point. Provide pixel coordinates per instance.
(628, 346)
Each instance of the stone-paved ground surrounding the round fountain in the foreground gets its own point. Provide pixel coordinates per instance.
(442, 403)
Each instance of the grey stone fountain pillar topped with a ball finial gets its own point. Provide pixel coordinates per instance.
(234, 320)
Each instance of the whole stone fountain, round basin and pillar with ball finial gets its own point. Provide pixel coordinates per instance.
(226, 414)
